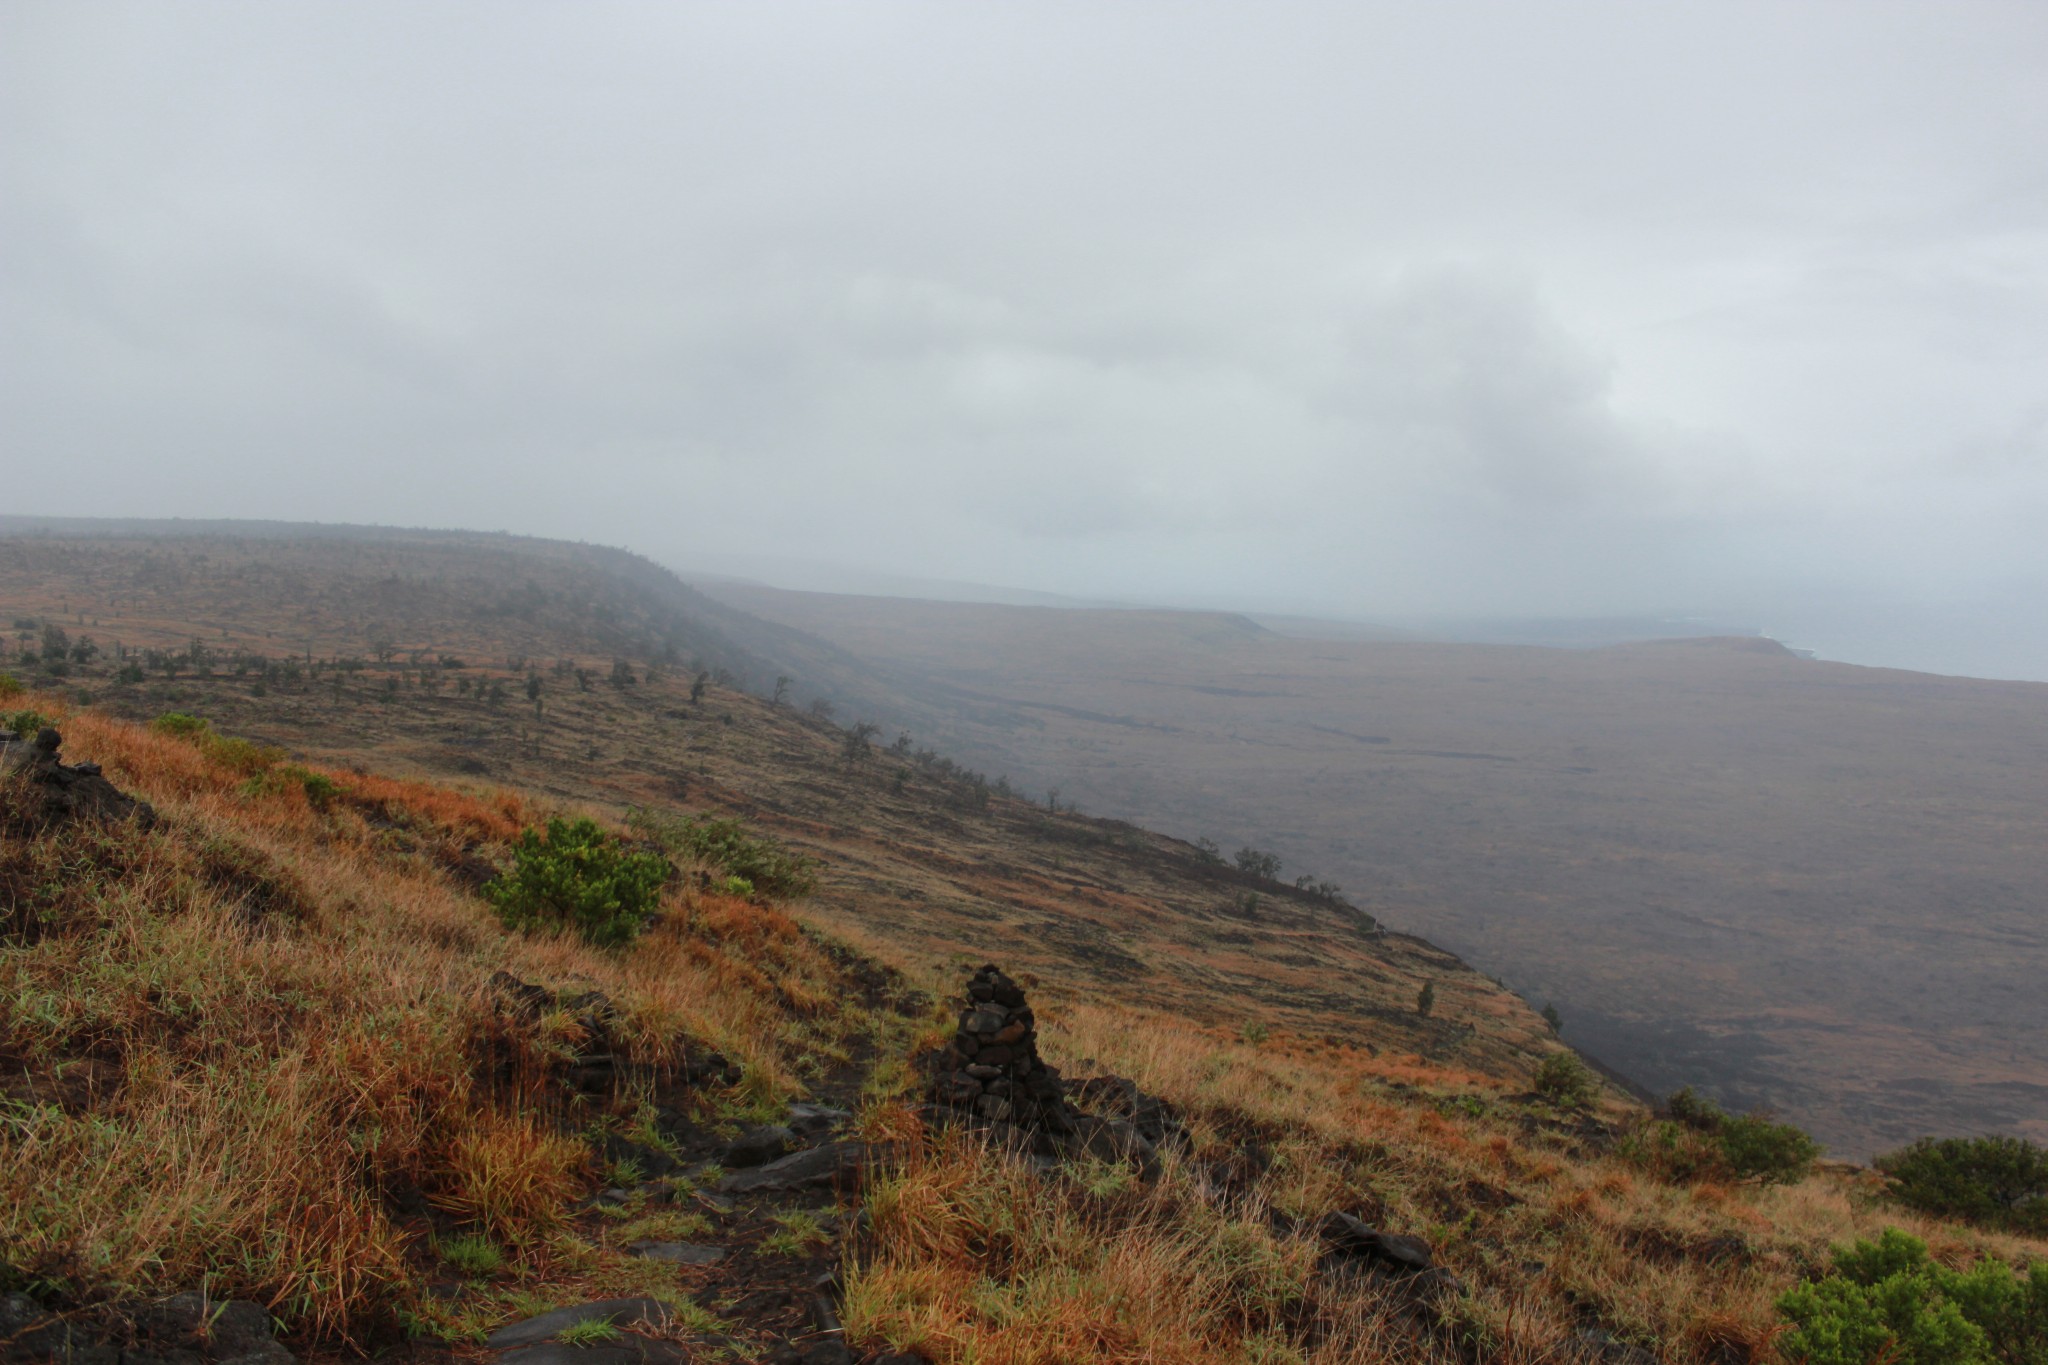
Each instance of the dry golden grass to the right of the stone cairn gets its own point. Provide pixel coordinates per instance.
(980, 1260)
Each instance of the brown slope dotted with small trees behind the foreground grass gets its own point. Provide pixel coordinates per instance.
(417, 654)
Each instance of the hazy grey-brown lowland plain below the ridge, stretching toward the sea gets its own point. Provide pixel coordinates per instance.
(1807, 885)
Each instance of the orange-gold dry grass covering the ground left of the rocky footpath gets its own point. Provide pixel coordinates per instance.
(228, 1041)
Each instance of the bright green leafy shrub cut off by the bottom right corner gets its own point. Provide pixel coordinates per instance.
(1889, 1303)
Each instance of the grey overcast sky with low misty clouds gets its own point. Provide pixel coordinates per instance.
(1355, 310)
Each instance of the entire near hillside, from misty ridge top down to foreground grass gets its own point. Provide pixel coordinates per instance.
(278, 1047)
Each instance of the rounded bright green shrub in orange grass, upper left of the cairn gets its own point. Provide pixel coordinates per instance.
(577, 877)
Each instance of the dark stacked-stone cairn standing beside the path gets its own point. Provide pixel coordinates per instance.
(992, 1065)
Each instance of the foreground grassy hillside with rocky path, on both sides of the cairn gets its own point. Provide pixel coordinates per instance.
(259, 1049)
